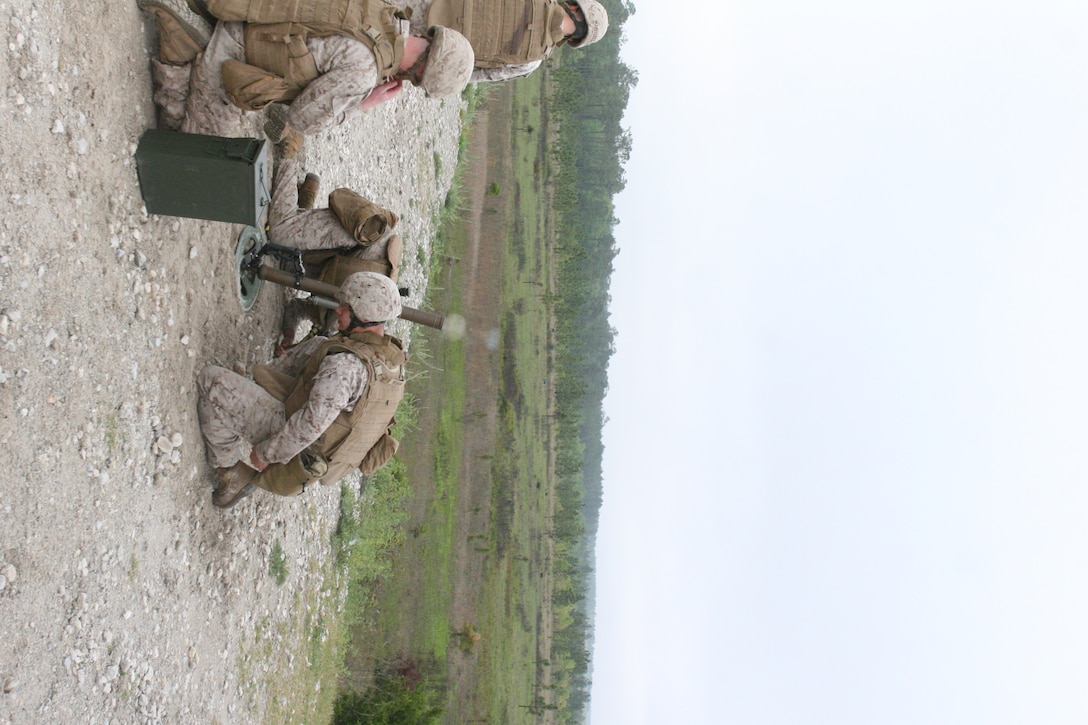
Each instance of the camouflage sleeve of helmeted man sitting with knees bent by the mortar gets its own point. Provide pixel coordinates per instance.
(338, 385)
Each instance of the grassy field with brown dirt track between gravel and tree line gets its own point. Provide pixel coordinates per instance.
(466, 593)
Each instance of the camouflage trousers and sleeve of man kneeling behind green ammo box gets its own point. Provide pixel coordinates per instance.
(192, 97)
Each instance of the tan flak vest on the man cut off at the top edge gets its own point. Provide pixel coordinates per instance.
(503, 32)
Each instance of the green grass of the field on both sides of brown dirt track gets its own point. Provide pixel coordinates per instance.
(407, 603)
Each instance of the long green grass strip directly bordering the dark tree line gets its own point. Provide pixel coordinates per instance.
(508, 654)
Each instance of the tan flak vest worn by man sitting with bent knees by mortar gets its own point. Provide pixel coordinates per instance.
(358, 438)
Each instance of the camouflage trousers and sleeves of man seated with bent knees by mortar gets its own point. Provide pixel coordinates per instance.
(239, 416)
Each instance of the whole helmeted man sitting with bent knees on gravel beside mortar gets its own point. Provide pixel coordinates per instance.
(328, 386)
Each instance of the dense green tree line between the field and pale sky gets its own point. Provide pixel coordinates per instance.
(586, 103)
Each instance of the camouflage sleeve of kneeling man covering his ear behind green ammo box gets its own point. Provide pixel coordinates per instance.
(349, 73)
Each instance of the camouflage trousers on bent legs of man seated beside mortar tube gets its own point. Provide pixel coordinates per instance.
(234, 413)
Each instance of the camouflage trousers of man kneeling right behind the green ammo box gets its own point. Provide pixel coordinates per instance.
(192, 97)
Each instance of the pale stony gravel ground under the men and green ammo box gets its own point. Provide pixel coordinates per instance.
(126, 596)
